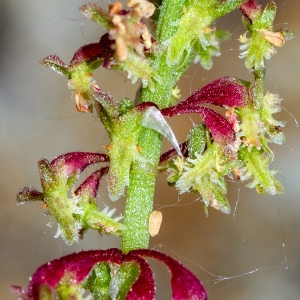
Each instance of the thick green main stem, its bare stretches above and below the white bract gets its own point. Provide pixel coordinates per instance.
(140, 193)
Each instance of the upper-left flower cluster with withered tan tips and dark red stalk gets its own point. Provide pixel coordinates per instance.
(125, 47)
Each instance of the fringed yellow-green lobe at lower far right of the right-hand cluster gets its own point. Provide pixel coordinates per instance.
(257, 167)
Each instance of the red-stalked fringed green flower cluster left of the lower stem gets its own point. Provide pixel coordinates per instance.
(77, 213)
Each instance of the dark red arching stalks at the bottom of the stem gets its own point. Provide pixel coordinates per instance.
(73, 269)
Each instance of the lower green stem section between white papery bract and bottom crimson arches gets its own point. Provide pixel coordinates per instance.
(140, 193)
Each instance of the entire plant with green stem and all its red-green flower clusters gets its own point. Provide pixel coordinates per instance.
(234, 143)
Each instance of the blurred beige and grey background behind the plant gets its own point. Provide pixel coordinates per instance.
(253, 253)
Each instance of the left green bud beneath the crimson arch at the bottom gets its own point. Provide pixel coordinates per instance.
(98, 282)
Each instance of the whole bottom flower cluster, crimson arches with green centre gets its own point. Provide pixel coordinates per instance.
(108, 278)
